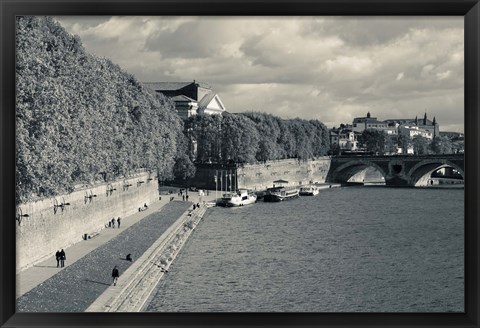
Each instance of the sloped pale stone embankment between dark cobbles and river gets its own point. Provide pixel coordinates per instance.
(137, 284)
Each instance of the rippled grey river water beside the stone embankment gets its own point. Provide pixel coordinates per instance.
(357, 249)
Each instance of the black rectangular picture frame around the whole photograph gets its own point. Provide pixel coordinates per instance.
(470, 9)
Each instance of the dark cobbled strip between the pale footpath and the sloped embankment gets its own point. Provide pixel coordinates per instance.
(74, 288)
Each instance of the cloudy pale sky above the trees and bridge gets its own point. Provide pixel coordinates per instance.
(332, 69)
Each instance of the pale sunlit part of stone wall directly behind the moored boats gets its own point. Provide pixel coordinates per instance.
(261, 176)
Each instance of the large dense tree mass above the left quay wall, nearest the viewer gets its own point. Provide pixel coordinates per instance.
(81, 118)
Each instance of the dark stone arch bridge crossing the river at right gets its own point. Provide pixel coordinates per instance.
(397, 170)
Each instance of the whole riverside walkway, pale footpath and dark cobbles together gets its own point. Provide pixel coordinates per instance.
(45, 288)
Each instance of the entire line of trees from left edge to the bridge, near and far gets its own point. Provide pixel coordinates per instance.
(81, 118)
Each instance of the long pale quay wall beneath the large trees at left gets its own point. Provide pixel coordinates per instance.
(50, 227)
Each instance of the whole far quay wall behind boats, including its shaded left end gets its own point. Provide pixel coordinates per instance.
(261, 176)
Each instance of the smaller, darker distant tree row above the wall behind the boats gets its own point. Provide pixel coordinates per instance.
(254, 137)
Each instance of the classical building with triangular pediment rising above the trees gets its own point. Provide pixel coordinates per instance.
(190, 98)
